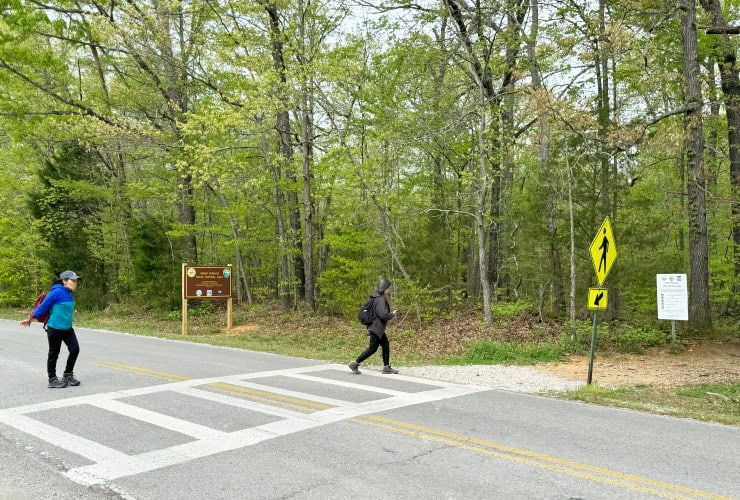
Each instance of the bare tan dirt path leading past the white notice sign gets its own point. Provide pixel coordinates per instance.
(700, 363)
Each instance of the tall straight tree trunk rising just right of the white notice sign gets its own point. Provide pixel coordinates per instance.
(699, 307)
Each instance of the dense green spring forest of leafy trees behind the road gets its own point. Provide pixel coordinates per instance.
(467, 151)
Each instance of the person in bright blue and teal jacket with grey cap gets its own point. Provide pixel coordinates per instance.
(61, 305)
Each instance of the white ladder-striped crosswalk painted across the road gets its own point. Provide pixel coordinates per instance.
(296, 399)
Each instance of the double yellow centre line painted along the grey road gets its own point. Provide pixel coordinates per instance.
(489, 448)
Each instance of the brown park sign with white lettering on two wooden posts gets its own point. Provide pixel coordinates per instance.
(205, 282)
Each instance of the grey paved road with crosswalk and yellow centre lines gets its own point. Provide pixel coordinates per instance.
(157, 419)
